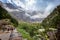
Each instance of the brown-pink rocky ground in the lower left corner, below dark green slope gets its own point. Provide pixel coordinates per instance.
(9, 32)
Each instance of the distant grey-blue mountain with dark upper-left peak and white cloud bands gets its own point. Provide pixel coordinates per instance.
(21, 14)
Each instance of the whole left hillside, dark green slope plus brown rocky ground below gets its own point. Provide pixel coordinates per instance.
(8, 26)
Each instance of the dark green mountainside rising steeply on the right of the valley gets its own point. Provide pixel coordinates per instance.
(53, 19)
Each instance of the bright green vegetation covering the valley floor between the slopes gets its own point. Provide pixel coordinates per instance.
(31, 31)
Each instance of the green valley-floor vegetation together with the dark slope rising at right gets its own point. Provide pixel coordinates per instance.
(38, 31)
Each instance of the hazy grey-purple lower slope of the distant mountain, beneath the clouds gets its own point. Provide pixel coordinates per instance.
(21, 16)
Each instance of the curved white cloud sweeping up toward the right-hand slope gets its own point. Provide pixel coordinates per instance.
(47, 11)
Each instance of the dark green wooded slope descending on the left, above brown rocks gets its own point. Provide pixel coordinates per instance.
(5, 15)
